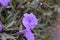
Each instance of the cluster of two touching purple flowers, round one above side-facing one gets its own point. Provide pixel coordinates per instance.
(29, 21)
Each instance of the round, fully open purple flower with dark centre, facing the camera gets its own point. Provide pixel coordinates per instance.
(29, 20)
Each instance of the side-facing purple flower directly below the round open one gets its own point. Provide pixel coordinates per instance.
(27, 33)
